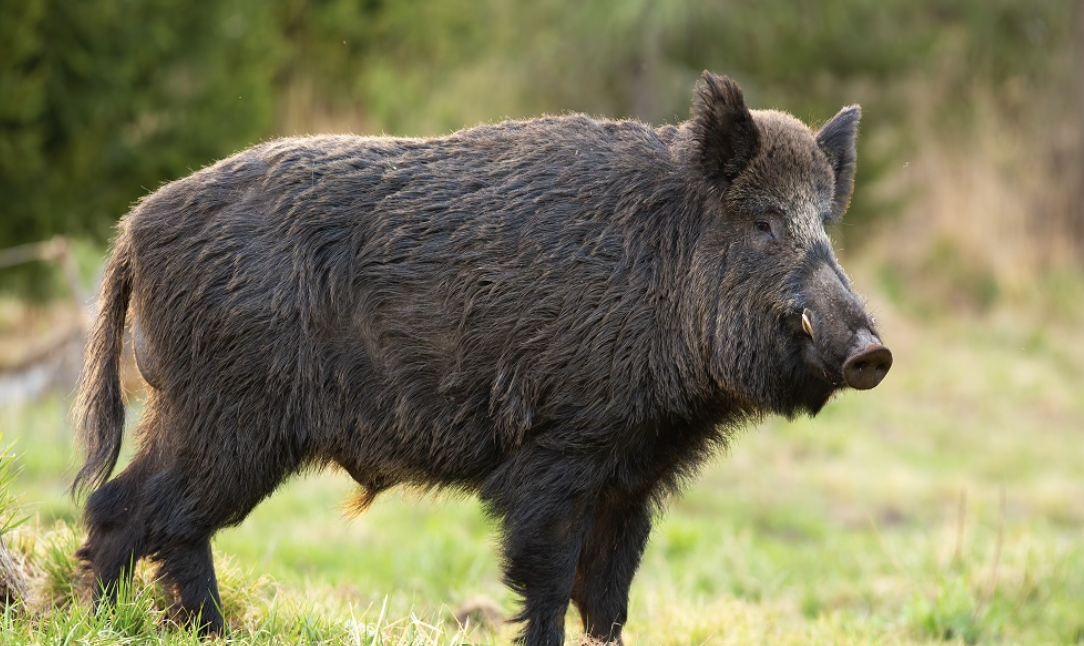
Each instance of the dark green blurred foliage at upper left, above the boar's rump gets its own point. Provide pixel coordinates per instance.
(106, 100)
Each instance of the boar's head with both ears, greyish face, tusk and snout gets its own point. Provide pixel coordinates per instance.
(779, 317)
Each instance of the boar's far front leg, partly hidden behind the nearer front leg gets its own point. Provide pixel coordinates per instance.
(610, 559)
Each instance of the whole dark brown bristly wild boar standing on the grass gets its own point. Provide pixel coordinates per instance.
(565, 316)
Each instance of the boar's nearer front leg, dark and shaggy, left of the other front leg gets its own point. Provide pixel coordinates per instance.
(546, 501)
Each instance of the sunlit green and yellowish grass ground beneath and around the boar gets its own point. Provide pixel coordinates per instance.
(944, 508)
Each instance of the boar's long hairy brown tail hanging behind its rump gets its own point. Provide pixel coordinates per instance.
(99, 411)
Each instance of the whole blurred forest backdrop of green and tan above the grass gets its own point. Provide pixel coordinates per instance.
(971, 160)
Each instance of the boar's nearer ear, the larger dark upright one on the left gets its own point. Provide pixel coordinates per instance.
(726, 138)
